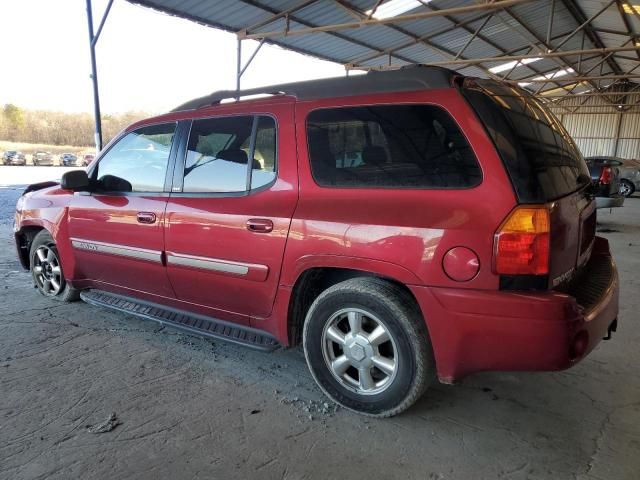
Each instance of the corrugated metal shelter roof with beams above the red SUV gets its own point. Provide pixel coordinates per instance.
(511, 30)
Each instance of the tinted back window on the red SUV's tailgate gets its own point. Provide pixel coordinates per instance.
(541, 159)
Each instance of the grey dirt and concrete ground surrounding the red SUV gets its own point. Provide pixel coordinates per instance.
(193, 408)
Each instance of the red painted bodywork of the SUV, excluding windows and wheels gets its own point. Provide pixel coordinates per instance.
(405, 235)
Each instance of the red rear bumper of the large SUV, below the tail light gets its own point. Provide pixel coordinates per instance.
(473, 331)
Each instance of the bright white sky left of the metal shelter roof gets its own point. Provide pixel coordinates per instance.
(147, 61)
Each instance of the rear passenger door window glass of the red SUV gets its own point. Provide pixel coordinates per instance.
(219, 150)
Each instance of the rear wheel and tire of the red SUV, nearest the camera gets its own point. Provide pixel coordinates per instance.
(367, 347)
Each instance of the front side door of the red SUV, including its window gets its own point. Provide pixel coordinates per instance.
(117, 231)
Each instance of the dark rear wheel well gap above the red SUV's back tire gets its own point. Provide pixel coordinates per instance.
(312, 283)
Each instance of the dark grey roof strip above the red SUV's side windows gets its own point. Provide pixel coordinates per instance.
(402, 80)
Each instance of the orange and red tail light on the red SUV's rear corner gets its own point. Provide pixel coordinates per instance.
(522, 243)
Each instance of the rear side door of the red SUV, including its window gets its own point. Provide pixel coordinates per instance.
(229, 214)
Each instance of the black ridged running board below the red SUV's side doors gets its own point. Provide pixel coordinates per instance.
(190, 322)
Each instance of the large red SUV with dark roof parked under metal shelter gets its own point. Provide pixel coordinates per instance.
(400, 225)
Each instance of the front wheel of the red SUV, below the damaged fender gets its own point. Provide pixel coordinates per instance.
(46, 270)
